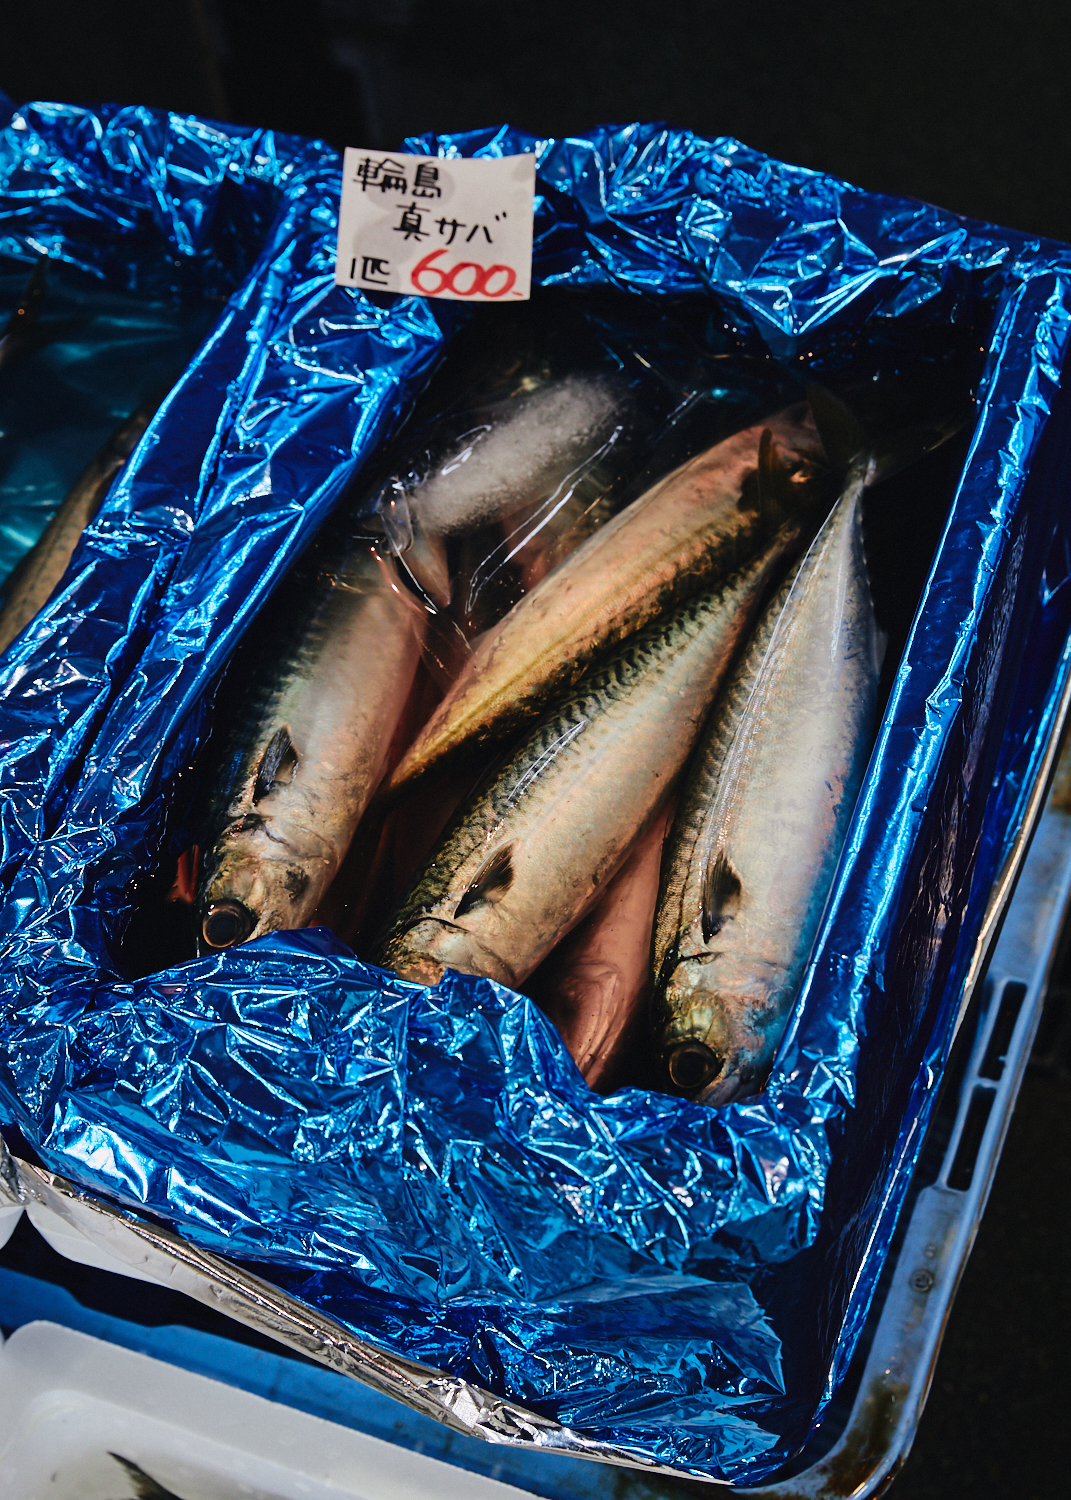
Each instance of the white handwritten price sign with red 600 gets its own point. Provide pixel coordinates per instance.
(440, 227)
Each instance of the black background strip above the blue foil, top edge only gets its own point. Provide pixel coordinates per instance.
(964, 103)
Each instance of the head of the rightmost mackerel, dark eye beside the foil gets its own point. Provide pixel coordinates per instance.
(718, 1040)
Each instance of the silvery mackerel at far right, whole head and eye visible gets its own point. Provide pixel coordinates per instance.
(763, 820)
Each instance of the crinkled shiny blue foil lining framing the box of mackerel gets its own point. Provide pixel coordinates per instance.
(428, 1165)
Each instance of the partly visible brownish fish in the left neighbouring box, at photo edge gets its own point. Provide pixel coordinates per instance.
(40, 572)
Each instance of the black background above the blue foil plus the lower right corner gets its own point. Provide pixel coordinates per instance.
(964, 103)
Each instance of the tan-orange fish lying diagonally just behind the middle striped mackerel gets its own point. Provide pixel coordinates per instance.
(692, 529)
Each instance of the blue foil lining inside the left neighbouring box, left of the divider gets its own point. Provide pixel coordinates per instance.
(149, 224)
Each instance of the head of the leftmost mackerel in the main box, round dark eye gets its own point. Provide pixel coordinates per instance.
(257, 884)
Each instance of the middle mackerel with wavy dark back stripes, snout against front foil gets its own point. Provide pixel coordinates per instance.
(538, 842)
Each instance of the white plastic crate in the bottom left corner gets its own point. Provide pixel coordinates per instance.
(70, 1403)
